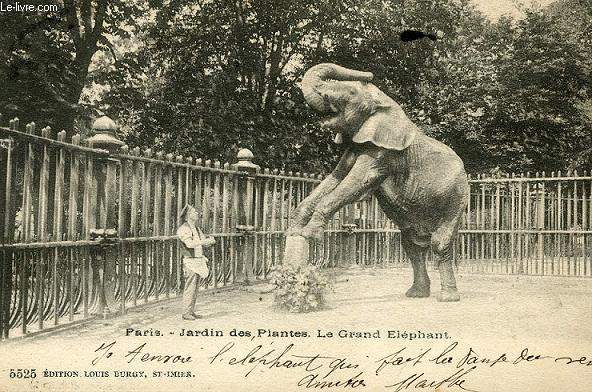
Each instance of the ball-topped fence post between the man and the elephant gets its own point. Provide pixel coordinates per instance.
(245, 214)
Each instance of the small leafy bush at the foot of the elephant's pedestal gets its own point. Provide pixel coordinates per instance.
(299, 288)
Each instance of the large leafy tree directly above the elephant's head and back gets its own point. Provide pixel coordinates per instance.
(443, 85)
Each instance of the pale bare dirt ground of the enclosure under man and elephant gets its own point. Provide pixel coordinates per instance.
(508, 333)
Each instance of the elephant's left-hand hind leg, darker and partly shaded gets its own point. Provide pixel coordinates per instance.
(416, 251)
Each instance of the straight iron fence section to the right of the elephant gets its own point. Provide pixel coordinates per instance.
(529, 224)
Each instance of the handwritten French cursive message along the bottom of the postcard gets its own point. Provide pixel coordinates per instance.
(449, 367)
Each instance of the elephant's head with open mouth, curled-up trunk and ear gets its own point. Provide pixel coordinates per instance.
(356, 108)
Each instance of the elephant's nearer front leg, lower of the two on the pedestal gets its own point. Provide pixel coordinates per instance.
(366, 174)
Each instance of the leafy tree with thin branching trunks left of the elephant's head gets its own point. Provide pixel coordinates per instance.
(223, 76)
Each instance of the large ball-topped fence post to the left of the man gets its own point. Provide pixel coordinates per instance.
(106, 176)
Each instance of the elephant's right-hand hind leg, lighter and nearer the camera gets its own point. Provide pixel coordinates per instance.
(442, 246)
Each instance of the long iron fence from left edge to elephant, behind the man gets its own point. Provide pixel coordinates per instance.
(59, 199)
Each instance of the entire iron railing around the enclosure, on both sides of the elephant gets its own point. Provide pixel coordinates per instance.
(88, 230)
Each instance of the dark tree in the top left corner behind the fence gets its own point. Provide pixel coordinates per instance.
(46, 56)
